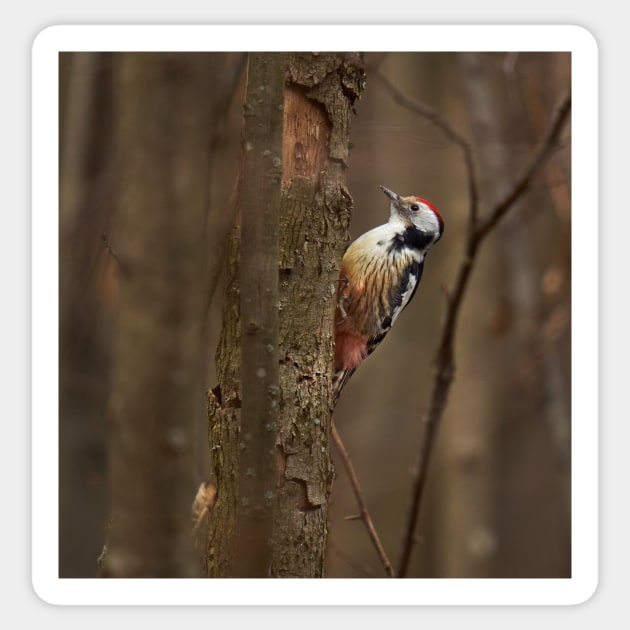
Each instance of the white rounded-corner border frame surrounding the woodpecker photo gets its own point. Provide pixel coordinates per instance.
(45, 188)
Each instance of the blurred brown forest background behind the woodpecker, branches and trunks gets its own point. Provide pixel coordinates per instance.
(498, 500)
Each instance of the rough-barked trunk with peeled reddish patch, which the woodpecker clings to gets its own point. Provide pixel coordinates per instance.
(315, 207)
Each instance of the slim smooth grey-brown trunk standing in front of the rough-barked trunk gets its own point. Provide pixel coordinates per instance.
(259, 201)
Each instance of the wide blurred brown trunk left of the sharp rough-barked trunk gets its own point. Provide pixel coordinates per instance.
(163, 128)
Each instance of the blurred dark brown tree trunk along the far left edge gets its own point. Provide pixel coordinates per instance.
(87, 298)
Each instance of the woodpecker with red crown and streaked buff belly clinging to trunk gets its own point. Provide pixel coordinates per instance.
(380, 273)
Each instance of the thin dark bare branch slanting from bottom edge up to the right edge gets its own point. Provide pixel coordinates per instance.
(478, 229)
